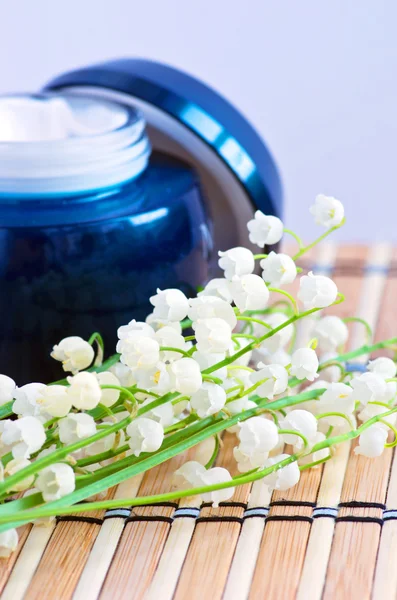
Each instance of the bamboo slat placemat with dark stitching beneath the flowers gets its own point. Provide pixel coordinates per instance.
(333, 536)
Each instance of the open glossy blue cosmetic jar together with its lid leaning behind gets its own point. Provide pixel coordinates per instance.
(87, 258)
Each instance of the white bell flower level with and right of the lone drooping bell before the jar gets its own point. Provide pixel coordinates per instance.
(139, 352)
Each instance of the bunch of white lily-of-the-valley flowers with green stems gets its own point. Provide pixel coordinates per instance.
(225, 360)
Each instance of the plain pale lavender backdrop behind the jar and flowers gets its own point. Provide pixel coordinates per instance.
(316, 77)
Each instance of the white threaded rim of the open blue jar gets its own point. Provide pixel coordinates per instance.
(77, 164)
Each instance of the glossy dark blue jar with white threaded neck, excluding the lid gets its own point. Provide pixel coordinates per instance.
(85, 240)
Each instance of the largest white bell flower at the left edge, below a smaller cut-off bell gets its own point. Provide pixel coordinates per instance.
(26, 436)
